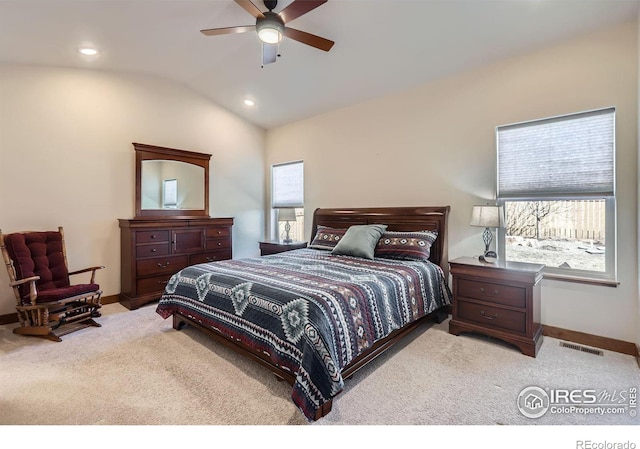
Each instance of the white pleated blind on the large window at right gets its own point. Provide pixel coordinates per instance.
(571, 155)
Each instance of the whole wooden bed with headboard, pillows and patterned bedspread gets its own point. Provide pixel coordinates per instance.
(315, 316)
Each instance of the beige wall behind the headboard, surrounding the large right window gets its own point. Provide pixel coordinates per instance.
(435, 145)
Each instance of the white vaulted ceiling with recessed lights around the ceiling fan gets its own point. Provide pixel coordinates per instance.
(381, 46)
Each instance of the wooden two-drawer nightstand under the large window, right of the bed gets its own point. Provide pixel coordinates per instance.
(501, 300)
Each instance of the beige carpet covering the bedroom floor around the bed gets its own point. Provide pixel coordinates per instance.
(136, 369)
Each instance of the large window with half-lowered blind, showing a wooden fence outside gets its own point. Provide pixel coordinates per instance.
(556, 180)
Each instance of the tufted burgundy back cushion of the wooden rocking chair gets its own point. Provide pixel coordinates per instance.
(38, 254)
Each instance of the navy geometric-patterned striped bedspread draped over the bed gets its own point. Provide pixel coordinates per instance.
(311, 312)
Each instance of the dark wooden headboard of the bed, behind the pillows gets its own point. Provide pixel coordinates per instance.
(397, 219)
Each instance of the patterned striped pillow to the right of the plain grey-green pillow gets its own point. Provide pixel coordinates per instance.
(414, 245)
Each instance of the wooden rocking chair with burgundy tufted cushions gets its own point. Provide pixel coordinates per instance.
(48, 306)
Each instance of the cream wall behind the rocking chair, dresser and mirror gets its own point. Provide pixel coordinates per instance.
(66, 159)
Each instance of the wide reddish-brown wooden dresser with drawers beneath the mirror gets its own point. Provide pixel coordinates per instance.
(154, 249)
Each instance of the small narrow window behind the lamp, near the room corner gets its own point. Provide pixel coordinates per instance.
(287, 191)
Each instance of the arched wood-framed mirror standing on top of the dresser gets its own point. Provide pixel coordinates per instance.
(171, 183)
